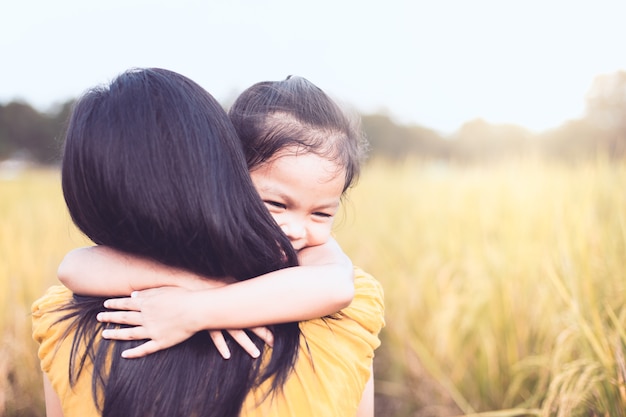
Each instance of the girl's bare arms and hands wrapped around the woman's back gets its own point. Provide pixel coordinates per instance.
(168, 315)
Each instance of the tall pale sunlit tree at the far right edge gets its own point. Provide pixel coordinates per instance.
(606, 109)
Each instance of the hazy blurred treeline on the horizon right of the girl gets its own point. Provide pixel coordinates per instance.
(601, 132)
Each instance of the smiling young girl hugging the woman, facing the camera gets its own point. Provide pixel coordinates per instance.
(303, 154)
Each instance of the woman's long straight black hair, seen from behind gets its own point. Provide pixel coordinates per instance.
(153, 167)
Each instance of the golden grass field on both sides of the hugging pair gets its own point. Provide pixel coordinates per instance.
(504, 285)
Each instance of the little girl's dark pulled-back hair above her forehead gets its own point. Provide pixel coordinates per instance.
(294, 115)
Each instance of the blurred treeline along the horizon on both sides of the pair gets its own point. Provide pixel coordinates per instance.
(24, 131)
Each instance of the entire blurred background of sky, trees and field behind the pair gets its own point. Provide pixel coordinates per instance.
(492, 208)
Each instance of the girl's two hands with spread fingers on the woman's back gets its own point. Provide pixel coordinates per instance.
(165, 317)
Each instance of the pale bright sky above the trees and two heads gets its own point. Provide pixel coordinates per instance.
(435, 63)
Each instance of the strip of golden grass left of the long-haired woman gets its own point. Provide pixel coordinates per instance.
(35, 233)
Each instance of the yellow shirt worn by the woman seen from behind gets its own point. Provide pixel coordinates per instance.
(328, 381)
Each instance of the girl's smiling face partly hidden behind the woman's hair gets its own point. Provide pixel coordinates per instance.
(302, 192)
